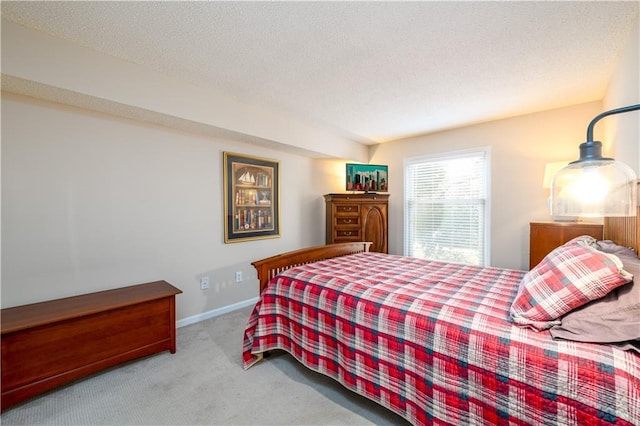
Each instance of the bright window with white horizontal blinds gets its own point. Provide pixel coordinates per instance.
(446, 213)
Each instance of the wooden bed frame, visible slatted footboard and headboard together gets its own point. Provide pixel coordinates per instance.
(624, 231)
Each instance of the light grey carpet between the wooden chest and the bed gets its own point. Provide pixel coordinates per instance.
(203, 384)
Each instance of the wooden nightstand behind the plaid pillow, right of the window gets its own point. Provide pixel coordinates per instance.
(546, 236)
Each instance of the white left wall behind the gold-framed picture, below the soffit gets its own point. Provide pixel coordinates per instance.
(92, 202)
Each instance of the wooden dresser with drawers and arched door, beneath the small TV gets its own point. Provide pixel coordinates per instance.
(357, 217)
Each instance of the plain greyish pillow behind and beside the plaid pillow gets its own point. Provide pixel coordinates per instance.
(614, 318)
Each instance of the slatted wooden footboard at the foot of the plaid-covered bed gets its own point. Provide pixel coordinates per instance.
(271, 266)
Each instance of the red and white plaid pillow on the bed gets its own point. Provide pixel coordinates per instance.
(568, 277)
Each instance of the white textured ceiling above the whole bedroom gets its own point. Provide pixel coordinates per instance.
(371, 71)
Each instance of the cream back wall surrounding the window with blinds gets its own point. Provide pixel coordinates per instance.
(520, 148)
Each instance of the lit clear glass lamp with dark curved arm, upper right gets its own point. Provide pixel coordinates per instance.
(595, 186)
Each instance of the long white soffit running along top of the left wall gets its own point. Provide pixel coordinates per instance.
(46, 67)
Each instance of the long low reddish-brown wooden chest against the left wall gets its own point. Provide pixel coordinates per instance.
(47, 344)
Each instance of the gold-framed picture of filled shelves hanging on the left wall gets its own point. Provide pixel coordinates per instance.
(251, 198)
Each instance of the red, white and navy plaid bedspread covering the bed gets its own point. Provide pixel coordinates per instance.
(434, 343)
